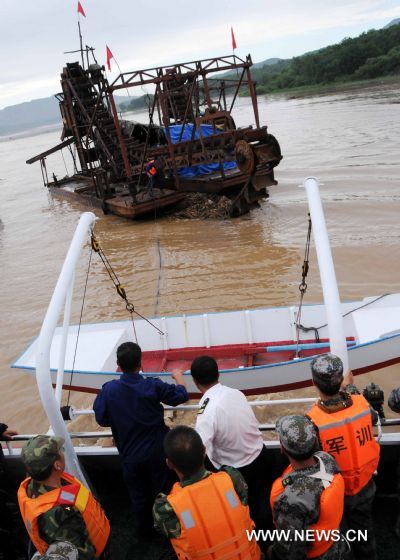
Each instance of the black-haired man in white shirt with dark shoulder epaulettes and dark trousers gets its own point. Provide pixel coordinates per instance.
(229, 430)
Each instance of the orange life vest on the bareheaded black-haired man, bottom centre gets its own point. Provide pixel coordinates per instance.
(213, 521)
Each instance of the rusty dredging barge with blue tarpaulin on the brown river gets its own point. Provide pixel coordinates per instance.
(189, 144)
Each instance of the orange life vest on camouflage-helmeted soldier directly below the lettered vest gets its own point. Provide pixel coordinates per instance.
(331, 504)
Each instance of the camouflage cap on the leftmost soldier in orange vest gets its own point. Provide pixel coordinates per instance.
(40, 452)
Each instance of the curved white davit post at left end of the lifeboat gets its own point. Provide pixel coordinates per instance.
(43, 375)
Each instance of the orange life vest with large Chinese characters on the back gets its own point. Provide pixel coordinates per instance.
(347, 436)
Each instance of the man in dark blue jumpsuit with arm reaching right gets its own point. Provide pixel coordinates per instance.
(132, 407)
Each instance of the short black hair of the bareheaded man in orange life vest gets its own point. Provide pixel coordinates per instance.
(184, 448)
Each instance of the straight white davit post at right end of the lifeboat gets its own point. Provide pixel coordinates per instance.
(330, 290)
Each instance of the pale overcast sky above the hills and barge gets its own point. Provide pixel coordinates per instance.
(34, 34)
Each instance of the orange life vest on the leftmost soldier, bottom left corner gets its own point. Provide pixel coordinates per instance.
(74, 494)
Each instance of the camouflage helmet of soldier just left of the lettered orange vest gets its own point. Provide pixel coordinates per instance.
(297, 434)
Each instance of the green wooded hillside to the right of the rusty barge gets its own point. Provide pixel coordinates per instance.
(371, 55)
